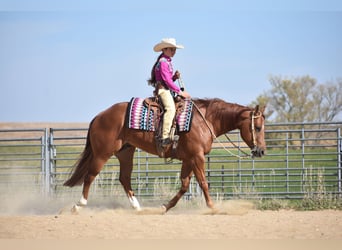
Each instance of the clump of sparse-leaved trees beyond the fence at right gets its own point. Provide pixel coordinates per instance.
(301, 99)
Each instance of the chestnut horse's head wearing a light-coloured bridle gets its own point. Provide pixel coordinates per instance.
(252, 130)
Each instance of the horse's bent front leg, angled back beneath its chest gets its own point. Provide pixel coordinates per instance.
(185, 177)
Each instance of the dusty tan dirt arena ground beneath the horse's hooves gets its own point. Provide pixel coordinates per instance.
(232, 220)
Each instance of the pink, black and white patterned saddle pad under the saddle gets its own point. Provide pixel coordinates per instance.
(140, 116)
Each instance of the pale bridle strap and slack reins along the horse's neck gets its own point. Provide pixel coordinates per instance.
(218, 141)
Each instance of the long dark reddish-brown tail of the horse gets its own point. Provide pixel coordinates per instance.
(80, 169)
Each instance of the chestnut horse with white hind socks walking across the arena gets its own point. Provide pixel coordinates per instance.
(108, 136)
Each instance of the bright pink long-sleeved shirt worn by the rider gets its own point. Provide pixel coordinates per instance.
(164, 72)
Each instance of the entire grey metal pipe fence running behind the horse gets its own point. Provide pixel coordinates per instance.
(302, 159)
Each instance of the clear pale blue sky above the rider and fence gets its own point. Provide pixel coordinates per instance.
(66, 62)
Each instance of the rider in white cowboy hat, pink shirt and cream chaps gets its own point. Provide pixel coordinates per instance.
(162, 77)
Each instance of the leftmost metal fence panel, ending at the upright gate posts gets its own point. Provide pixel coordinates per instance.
(23, 161)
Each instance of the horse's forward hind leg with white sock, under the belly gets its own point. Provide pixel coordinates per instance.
(125, 157)
